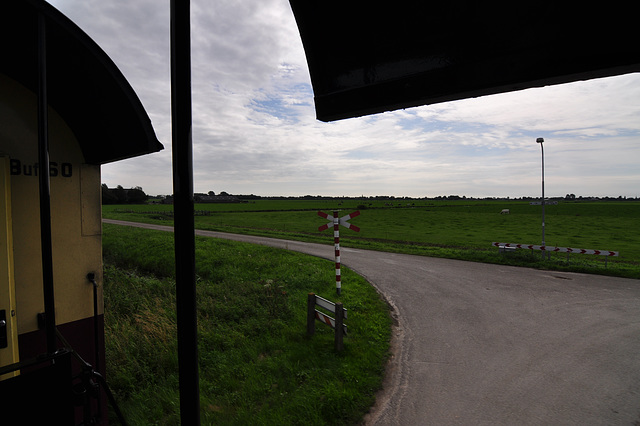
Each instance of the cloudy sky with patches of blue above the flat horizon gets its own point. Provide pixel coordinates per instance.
(255, 132)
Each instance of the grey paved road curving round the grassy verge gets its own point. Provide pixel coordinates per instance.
(479, 344)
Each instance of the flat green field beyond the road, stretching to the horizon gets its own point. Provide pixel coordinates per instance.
(462, 229)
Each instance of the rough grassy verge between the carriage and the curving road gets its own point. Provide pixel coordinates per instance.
(257, 366)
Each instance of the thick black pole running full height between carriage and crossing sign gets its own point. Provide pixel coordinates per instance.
(181, 121)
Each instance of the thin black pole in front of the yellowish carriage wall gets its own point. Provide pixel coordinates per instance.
(44, 184)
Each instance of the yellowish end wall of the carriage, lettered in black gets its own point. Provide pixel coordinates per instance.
(75, 211)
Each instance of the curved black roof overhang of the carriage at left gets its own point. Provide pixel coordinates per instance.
(84, 85)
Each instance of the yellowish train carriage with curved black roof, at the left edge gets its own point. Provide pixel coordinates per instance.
(62, 100)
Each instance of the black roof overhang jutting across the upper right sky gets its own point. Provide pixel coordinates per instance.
(368, 57)
